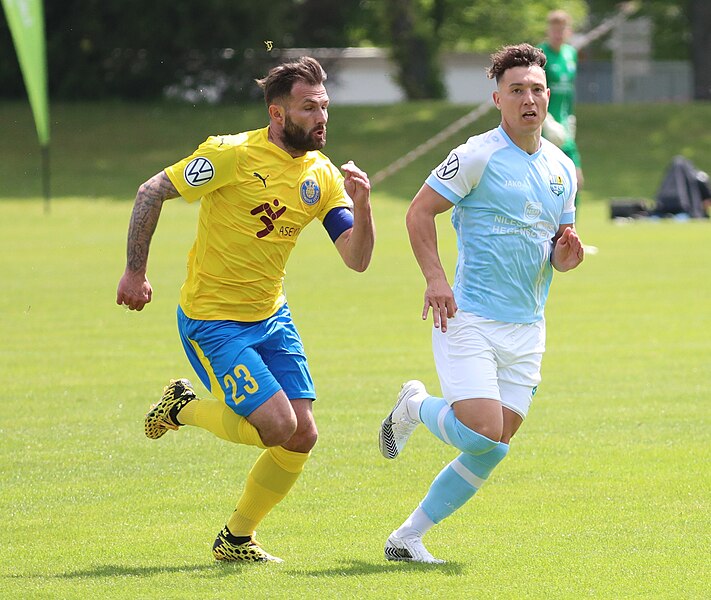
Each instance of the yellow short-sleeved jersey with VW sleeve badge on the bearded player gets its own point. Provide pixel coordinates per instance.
(255, 199)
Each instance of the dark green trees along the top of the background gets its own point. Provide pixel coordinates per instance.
(131, 49)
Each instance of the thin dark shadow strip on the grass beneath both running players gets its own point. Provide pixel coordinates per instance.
(345, 568)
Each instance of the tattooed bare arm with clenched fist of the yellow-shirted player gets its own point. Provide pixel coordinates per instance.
(134, 290)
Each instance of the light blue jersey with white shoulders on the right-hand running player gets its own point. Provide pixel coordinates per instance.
(508, 206)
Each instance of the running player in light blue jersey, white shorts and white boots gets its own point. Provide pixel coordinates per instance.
(512, 198)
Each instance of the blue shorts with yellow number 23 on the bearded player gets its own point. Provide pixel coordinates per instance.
(245, 363)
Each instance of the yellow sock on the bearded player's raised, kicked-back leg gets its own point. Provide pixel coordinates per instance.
(220, 419)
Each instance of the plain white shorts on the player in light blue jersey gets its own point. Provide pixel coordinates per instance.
(481, 358)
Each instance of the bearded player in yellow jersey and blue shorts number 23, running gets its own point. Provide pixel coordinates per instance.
(257, 191)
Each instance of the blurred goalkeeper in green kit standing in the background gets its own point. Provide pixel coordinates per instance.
(561, 68)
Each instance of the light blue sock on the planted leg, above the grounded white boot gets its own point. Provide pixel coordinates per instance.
(459, 481)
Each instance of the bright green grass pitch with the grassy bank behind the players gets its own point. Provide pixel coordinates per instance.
(605, 494)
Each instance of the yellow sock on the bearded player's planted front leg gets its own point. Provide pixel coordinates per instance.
(269, 481)
